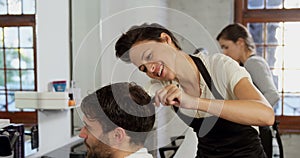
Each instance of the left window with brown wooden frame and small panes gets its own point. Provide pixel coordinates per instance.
(17, 57)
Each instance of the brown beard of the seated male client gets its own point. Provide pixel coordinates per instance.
(99, 150)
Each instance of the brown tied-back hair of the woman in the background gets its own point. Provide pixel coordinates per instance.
(235, 31)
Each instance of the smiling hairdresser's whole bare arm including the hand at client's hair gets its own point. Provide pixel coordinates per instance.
(251, 108)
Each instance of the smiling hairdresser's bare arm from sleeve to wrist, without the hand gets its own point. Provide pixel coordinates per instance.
(251, 108)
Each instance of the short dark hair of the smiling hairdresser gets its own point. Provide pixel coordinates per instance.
(141, 33)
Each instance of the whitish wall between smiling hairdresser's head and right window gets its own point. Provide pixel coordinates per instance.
(202, 21)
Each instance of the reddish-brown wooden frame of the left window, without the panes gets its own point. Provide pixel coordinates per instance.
(25, 117)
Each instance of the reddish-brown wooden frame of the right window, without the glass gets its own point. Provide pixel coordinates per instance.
(287, 124)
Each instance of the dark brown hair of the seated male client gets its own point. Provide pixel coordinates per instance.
(124, 105)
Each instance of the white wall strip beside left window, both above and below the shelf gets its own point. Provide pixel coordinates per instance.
(52, 64)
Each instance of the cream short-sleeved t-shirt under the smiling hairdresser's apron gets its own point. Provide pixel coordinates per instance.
(225, 73)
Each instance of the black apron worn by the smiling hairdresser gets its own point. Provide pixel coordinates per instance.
(219, 138)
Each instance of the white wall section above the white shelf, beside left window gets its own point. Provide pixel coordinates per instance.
(52, 42)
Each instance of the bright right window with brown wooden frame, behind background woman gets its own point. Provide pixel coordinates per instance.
(274, 25)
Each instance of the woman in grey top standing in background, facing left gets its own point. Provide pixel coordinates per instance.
(237, 43)
